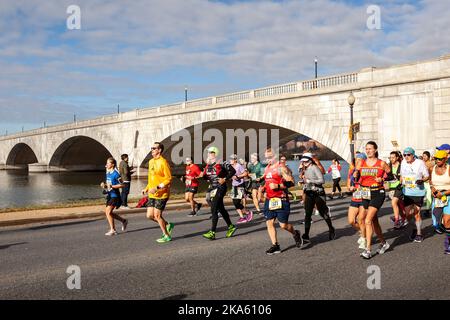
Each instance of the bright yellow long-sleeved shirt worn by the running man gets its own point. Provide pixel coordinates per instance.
(159, 172)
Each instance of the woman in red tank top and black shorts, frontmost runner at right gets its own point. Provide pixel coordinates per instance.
(370, 173)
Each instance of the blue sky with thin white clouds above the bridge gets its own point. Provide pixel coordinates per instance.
(143, 53)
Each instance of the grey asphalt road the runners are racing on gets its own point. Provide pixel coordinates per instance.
(34, 260)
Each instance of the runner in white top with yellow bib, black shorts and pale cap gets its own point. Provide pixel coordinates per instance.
(413, 175)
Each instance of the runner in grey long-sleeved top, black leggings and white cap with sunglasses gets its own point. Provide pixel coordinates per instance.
(315, 197)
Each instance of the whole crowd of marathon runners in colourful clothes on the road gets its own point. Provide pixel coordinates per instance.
(413, 182)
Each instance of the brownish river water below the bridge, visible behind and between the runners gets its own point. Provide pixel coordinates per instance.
(21, 189)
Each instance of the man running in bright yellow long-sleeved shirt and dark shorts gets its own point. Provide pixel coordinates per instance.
(158, 190)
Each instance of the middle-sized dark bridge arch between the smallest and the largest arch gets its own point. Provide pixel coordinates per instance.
(79, 153)
